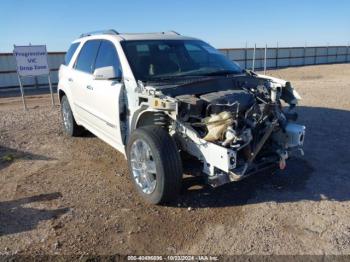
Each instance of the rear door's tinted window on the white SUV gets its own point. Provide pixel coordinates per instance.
(87, 56)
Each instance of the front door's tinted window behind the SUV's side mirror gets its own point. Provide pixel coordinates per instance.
(107, 56)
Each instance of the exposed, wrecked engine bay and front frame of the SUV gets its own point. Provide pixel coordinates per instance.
(235, 126)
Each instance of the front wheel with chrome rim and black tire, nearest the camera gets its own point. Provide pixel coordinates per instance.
(154, 144)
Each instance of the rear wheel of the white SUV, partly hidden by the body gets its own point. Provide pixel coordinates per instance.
(70, 127)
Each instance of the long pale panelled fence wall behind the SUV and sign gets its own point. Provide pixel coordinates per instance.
(275, 58)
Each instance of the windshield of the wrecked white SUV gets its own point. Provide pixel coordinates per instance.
(153, 60)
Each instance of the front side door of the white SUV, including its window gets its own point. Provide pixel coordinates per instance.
(103, 96)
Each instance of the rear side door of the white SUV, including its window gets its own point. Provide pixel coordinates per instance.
(80, 80)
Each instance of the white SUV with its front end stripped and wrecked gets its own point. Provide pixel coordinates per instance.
(157, 97)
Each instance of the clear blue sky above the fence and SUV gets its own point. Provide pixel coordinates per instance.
(221, 23)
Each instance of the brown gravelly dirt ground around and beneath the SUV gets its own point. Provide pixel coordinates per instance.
(60, 195)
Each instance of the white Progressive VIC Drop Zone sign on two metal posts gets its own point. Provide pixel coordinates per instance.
(31, 62)
